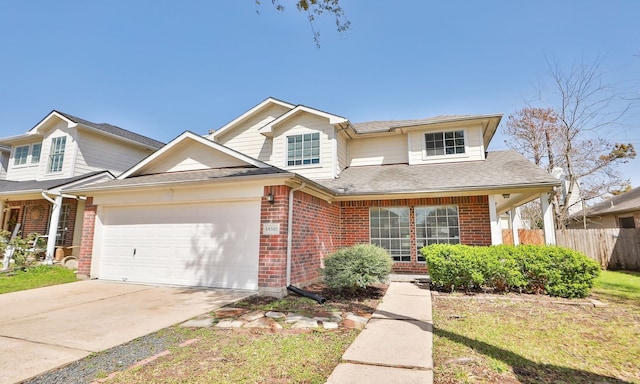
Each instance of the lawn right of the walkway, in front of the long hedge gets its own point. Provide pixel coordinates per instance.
(500, 340)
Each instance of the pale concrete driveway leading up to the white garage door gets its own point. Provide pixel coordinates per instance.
(42, 329)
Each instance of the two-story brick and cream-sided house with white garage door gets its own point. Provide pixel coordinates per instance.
(259, 203)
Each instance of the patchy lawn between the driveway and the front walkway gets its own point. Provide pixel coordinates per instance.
(227, 356)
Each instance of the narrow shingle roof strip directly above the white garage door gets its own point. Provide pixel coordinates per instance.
(185, 177)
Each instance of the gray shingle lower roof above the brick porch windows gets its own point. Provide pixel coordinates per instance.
(501, 169)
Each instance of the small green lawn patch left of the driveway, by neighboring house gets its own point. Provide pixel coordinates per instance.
(36, 277)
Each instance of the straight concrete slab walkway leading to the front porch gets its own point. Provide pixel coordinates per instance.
(396, 345)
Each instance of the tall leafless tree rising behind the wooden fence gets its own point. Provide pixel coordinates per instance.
(571, 135)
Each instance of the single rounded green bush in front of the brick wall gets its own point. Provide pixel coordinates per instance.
(356, 267)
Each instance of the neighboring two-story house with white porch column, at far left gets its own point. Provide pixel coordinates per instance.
(61, 151)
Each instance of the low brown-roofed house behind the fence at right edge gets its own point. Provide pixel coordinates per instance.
(622, 211)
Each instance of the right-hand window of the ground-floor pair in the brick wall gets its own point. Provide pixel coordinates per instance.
(436, 225)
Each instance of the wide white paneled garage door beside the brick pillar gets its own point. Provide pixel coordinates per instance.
(204, 244)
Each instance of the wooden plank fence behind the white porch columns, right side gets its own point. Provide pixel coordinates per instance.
(613, 248)
